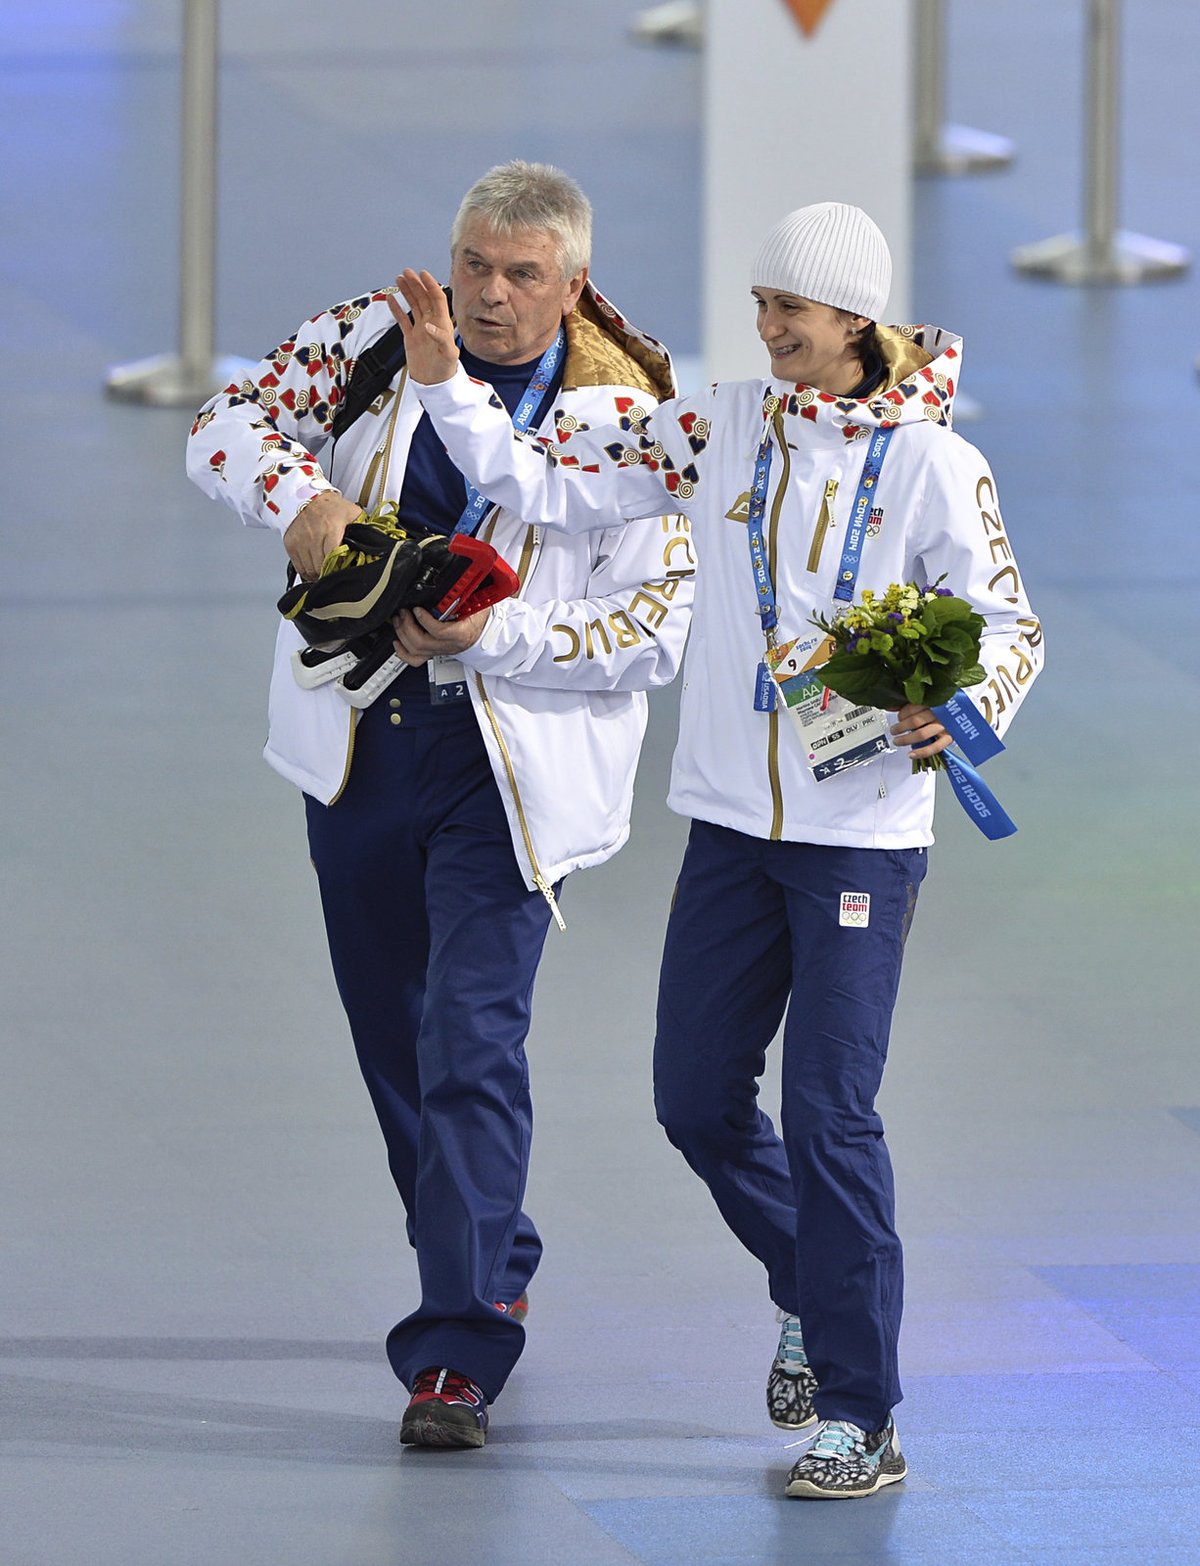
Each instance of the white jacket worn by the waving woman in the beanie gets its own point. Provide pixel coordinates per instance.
(936, 514)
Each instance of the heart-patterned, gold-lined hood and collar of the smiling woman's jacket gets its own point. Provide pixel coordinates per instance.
(922, 366)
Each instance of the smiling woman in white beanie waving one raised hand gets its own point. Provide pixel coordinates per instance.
(808, 848)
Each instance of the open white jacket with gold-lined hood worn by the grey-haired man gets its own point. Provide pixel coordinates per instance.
(560, 674)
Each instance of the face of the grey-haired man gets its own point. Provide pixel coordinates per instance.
(510, 294)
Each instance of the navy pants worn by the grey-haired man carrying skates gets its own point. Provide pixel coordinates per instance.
(435, 942)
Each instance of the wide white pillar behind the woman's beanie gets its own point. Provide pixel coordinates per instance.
(793, 120)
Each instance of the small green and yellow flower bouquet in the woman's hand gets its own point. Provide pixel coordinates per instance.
(913, 644)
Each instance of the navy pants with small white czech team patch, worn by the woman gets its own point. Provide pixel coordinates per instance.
(761, 929)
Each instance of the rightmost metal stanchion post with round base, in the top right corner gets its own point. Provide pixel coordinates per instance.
(1104, 254)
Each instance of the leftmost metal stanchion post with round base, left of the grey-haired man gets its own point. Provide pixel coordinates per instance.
(189, 378)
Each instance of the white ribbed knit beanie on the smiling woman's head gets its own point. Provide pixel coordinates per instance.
(830, 253)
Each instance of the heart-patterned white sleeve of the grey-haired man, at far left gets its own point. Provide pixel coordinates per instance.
(255, 446)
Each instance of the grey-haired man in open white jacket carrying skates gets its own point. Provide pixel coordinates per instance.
(444, 817)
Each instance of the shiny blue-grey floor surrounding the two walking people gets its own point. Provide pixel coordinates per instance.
(201, 1249)
